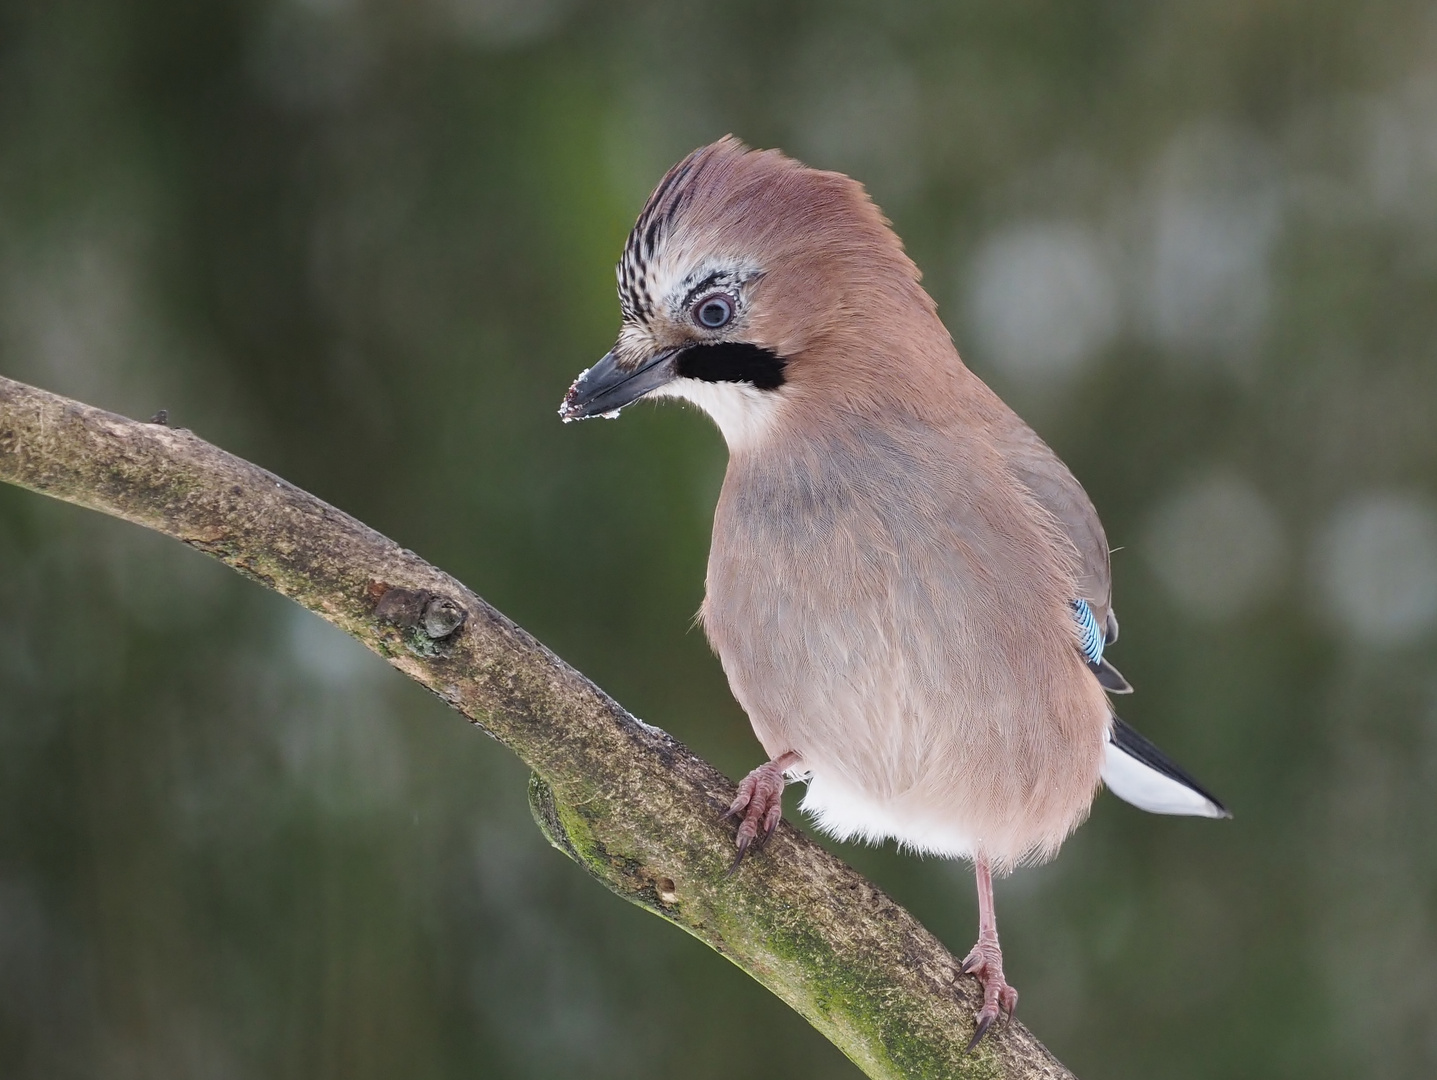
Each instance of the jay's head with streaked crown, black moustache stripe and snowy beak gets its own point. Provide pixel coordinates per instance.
(751, 281)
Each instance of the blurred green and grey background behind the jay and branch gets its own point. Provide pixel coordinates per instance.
(369, 245)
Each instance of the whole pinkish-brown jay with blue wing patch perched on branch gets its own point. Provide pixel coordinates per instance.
(909, 592)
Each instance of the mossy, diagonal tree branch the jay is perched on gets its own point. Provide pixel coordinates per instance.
(624, 801)
